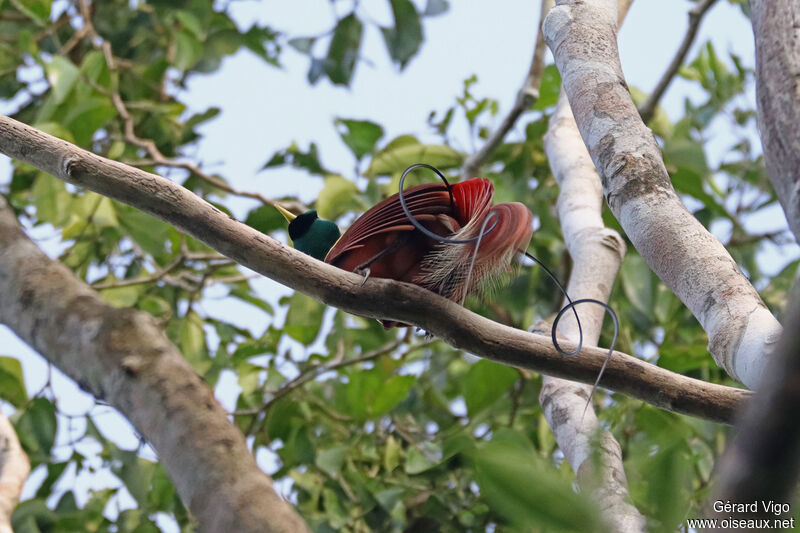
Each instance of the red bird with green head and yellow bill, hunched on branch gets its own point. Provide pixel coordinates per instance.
(383, 243)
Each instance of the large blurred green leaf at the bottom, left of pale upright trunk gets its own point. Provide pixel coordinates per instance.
(529, 493)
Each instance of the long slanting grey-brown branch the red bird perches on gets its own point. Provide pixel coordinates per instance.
(377, 298)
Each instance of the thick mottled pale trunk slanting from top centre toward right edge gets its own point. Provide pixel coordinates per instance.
(691, 261)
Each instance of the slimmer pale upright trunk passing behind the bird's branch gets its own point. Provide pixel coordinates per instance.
(597, 253)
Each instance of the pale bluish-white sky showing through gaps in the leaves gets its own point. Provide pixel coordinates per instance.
(264, 109)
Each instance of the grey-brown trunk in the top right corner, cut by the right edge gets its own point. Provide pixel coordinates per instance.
(776, 24)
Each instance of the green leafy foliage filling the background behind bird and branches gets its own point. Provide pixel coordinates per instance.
(378, 432)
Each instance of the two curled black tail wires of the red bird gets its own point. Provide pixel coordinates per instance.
(477, 240)
